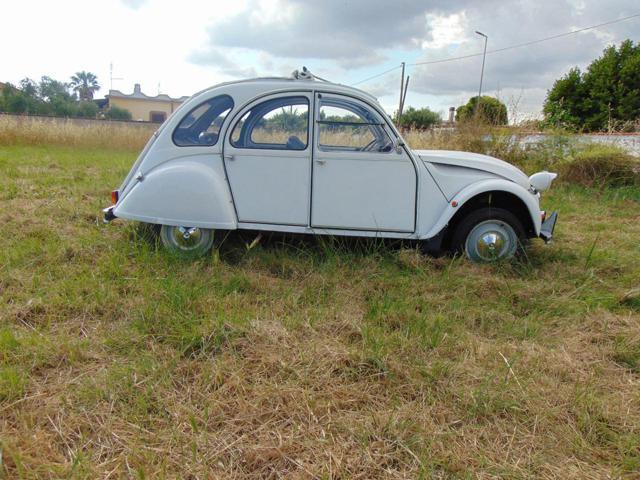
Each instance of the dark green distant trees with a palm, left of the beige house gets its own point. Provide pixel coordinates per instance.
(53, 97)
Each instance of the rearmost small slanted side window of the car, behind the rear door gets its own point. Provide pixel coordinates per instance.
(201, 126)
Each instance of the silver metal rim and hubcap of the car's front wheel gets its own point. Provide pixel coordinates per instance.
(490, 241)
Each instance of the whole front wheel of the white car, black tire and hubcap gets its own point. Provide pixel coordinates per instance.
(488, 235)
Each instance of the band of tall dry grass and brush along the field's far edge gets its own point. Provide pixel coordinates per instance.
(591, 165)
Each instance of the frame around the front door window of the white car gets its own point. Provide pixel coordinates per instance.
(326, 98)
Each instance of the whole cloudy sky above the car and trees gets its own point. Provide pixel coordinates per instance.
(179, 48)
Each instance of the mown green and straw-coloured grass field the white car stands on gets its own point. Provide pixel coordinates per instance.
(304, 357)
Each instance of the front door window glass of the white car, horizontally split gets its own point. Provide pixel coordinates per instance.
(348, 126)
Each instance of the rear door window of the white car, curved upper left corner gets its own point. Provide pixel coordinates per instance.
(277, 124)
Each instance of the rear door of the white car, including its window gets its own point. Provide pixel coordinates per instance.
(267, 156)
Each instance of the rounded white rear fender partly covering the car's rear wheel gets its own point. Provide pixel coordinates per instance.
(190, 191)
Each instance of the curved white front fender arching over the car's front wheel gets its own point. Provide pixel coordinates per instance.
(471, 191)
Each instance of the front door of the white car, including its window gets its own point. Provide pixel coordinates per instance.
(360, 180)
